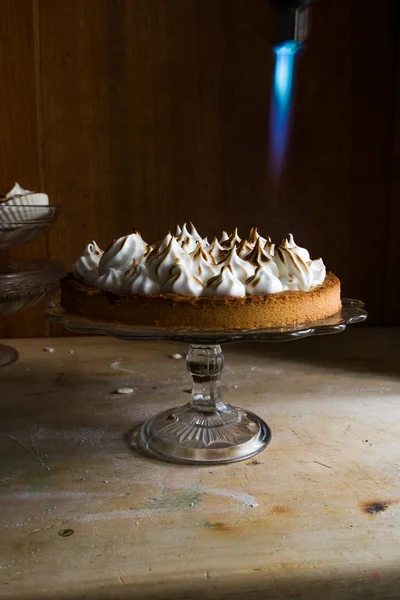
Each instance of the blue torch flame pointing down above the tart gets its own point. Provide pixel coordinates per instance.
(280, 107)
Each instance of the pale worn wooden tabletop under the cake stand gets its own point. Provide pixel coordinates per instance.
(316, 515)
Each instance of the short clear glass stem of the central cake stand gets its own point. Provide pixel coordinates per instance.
(205, 364)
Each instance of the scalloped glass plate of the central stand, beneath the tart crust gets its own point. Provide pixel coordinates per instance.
(352, 312)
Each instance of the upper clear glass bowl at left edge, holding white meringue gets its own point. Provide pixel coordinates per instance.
(21, 224)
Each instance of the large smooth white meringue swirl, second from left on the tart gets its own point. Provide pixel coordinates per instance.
(123, 253)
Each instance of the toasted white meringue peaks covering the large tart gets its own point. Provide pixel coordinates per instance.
(186, 264)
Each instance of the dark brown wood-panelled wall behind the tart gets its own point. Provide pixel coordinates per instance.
(145, 113)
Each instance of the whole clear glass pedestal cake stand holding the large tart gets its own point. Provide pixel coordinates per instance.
(206, 430)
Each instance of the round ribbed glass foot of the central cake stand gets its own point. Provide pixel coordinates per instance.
(187, 435)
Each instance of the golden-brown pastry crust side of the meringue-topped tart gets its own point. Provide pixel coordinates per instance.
(170, 310)
